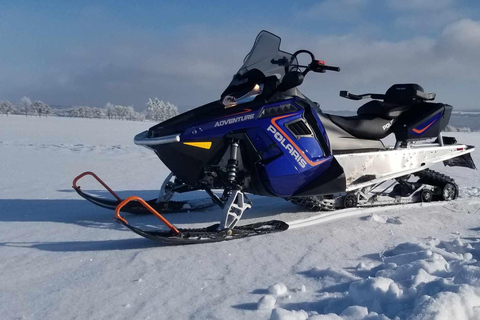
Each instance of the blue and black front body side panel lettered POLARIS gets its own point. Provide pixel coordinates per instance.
(277, 160)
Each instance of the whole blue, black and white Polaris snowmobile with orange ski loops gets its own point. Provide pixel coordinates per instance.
(264, 137)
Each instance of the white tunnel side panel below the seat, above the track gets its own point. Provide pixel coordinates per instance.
(370, 168)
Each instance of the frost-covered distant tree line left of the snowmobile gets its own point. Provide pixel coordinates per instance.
(155, 109)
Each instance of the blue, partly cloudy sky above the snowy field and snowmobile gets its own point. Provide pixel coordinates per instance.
(186, 52)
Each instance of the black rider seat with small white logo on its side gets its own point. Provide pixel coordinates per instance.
(364, 126)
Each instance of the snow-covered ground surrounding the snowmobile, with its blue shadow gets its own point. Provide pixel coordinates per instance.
(64, 258)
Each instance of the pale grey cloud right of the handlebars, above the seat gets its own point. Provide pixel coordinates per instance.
(446, 65)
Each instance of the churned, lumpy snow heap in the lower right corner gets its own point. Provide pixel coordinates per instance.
(435, 280)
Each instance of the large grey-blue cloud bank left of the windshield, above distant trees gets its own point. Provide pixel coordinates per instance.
(190, 70)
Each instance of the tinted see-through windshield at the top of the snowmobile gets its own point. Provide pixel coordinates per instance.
(266, 56)
